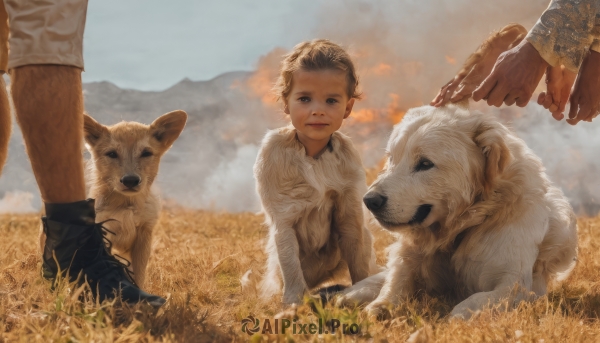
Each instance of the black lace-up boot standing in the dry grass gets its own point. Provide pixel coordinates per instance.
(77, 242)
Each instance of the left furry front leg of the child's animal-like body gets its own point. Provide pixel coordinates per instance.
(288, 252)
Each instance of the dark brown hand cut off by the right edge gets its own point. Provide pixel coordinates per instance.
(585, 98)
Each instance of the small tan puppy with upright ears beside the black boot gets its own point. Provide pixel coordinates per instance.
(124, 164)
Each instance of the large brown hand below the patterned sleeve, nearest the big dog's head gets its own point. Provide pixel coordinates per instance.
(515, 76)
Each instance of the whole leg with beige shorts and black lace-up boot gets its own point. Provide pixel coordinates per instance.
(47, 94)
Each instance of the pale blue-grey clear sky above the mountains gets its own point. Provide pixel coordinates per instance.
(153, 44)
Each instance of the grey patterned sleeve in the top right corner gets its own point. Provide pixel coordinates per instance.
(565, 31)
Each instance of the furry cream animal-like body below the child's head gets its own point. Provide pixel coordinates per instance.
(315, 215)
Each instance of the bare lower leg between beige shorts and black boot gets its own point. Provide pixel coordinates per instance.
(48, 103)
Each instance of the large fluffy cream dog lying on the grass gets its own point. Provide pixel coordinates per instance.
(474, 212)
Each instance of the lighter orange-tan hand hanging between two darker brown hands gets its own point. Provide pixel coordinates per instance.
(559, 81)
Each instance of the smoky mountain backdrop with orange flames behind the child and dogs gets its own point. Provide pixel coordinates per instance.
(404, 51)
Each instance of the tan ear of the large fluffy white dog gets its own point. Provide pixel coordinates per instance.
(490, 138)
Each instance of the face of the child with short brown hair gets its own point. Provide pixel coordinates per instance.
(318, 103)
